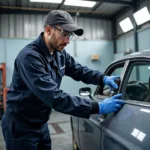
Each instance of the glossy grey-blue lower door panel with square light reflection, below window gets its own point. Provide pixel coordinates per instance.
(125, 131)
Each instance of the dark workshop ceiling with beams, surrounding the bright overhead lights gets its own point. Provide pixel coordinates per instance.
(104, 9)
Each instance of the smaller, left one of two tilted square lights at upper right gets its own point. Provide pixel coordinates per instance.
(126, 25)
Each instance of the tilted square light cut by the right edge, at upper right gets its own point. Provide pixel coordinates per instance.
(141, 16)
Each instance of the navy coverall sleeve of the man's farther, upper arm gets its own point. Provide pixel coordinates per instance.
(82, 73)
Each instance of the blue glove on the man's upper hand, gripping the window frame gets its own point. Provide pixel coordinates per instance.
(110, 81)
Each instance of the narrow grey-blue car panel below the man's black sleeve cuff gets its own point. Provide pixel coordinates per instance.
(89, 133)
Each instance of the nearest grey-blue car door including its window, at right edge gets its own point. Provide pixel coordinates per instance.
(128, 129)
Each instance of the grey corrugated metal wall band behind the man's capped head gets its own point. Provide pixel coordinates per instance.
(29, 26)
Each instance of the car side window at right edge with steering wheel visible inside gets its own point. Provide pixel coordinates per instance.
(137, 85)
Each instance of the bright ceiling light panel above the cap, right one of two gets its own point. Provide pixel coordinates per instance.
(80, 3)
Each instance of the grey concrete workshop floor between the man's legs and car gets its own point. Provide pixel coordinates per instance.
(60, 129)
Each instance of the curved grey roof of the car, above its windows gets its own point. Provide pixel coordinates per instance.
(140, 54)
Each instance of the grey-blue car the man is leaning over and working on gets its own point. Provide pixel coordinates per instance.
(128, 128)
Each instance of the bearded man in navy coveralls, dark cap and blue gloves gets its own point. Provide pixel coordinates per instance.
(34, 91)
